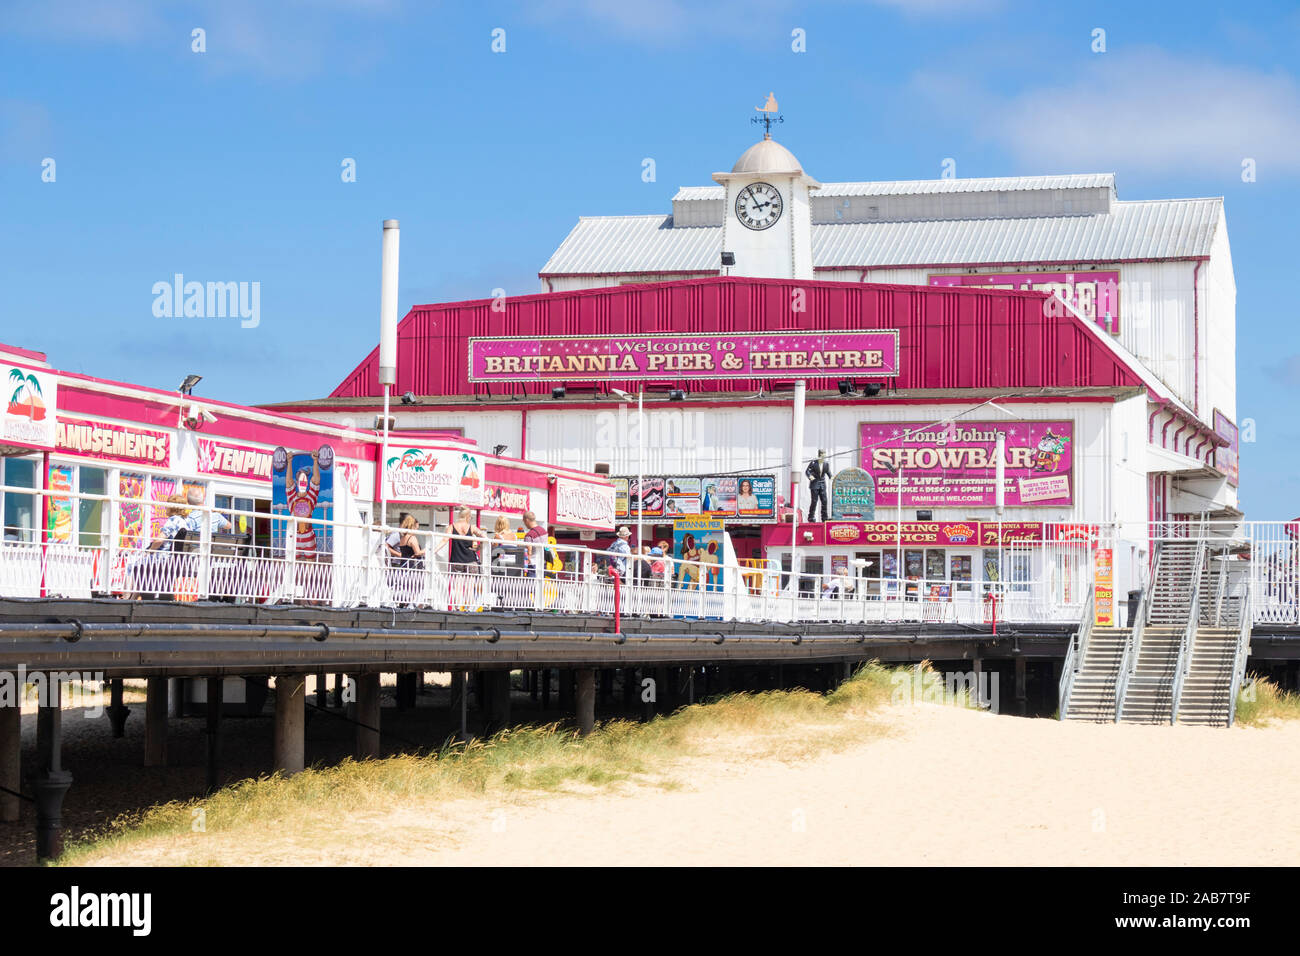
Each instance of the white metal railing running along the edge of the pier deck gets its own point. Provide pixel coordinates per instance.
(1051, 581)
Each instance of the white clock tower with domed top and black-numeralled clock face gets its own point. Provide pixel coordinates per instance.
(768, 215)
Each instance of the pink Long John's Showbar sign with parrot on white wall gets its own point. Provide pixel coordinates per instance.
(954, 466)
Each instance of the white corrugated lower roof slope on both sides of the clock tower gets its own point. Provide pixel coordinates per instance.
(1159, 230)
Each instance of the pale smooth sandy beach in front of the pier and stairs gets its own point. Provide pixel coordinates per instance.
(943, 788)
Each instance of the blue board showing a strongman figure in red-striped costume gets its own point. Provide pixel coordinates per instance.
(304, 487)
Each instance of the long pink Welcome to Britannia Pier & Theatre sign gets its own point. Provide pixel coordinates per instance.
(692, 357)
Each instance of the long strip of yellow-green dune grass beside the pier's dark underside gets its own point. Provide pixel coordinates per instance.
(790, 725)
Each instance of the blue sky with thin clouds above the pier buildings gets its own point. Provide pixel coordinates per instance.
(226, 166)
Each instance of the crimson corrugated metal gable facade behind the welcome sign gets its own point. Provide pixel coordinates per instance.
(950, 339)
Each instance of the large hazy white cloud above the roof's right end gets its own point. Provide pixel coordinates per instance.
(1146, 111)
